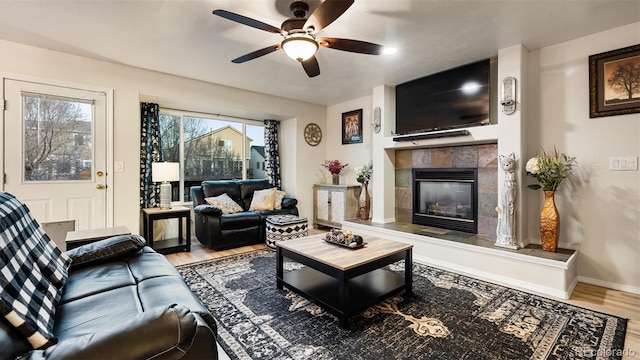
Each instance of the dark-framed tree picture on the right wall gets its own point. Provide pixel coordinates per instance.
(614, 84)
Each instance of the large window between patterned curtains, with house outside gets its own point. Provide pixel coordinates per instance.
(208, 148)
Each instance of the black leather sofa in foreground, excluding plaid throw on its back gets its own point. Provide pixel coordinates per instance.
(122, 300)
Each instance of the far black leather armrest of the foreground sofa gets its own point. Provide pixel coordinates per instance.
(116, 247)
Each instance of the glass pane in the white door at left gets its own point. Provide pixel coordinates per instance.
(57, 138)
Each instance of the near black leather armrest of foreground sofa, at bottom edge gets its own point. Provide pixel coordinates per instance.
(160, 333)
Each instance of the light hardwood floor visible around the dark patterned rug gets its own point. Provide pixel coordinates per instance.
(615, 302)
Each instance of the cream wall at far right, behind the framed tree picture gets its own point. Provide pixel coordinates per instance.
(600, 209)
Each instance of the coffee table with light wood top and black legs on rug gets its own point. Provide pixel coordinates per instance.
(344, 281)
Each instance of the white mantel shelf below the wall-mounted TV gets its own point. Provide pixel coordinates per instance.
(477, 135)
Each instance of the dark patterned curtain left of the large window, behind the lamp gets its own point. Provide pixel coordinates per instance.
(149, 152)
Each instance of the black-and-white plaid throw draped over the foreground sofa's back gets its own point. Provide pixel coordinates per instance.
(32, 273)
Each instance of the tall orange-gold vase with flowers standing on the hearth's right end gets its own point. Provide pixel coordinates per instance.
(550, 170)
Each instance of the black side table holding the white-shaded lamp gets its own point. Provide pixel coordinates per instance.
(166, 246)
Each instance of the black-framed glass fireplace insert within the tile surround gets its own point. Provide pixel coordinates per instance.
(446, 198)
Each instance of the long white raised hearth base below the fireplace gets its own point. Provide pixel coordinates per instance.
(545, 276)
